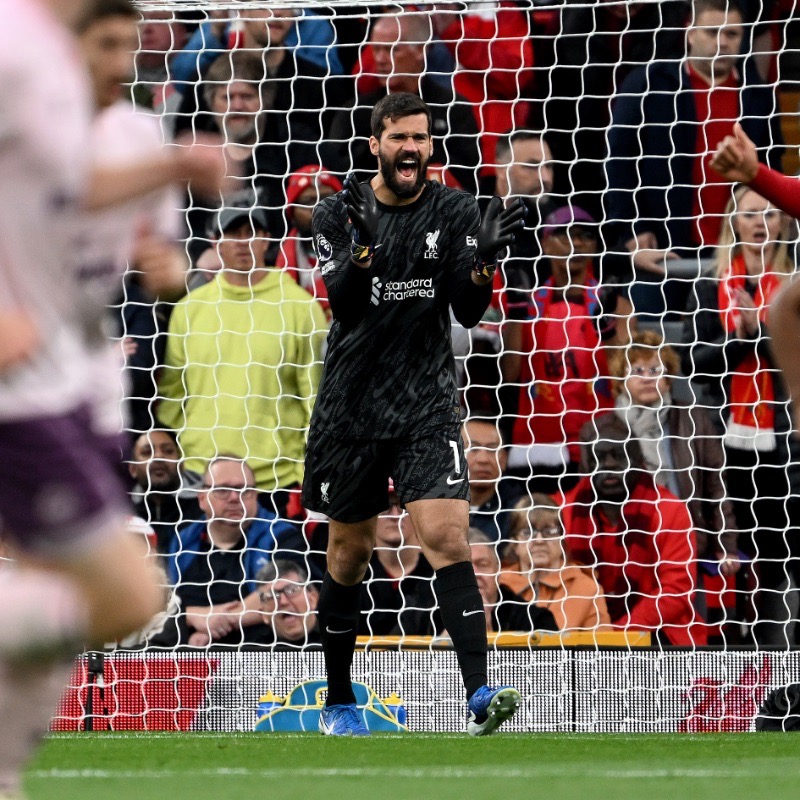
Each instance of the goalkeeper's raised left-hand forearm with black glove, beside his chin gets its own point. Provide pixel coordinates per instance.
(345, 256)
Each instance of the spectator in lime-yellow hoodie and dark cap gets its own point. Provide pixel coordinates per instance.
(243, 359)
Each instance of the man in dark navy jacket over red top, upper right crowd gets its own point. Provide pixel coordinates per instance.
(663, 200)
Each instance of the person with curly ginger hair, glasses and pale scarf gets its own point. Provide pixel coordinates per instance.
(679, 444)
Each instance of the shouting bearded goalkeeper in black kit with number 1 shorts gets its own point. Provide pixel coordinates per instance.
(396, 254)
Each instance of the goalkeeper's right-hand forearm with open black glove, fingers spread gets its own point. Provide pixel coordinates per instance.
(478, 244)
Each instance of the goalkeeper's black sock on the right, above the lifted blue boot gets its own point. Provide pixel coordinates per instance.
(461, 607)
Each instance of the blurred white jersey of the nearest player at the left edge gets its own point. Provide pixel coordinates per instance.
(45, 113)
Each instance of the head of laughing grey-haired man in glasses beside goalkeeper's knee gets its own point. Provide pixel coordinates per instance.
(289, 600)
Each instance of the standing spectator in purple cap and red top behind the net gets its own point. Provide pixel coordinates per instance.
(555, 352)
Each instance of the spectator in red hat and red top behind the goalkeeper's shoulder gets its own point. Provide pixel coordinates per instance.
(306, 188)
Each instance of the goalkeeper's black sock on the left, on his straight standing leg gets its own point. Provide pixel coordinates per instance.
(339, 612)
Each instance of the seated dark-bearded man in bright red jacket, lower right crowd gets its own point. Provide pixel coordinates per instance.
(636, 535)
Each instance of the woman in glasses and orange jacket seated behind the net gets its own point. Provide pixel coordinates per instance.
(544, 574)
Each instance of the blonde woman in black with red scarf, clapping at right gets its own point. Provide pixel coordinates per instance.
(730, 347)
